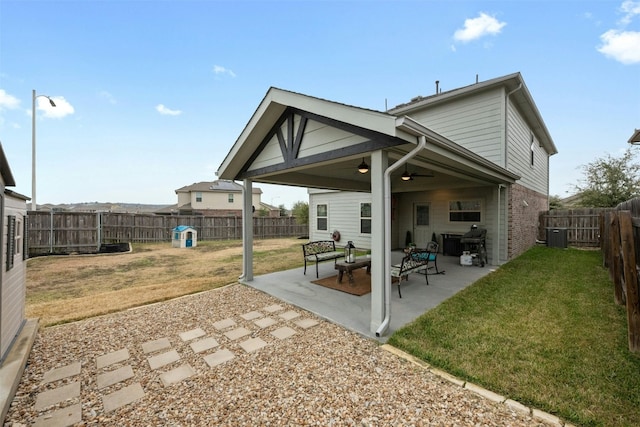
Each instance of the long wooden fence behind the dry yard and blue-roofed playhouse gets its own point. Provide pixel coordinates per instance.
(85, 232)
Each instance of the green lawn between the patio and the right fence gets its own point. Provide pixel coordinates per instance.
(543, 330)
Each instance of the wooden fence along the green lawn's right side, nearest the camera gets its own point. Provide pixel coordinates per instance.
(621, 252)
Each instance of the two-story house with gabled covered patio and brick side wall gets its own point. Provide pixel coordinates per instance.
(436, 165)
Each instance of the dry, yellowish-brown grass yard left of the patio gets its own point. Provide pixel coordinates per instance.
(63, 289)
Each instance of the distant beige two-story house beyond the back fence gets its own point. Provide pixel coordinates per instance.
(218, 198)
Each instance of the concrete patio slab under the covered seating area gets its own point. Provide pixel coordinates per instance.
(354, 312)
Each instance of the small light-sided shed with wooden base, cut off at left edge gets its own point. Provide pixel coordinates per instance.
(16, 333)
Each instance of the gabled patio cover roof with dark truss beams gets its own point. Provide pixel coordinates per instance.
(355, 133)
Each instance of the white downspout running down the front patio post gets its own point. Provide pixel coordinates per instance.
(387, 231)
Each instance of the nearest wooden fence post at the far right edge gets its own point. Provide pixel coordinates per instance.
(631, 280)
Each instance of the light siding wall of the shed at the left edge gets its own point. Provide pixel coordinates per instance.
(12, 309)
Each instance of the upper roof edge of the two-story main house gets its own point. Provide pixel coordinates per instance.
(514, 85)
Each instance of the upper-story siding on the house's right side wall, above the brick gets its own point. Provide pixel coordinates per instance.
(519, 154)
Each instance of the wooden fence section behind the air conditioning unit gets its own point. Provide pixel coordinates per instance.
(582, 225)
